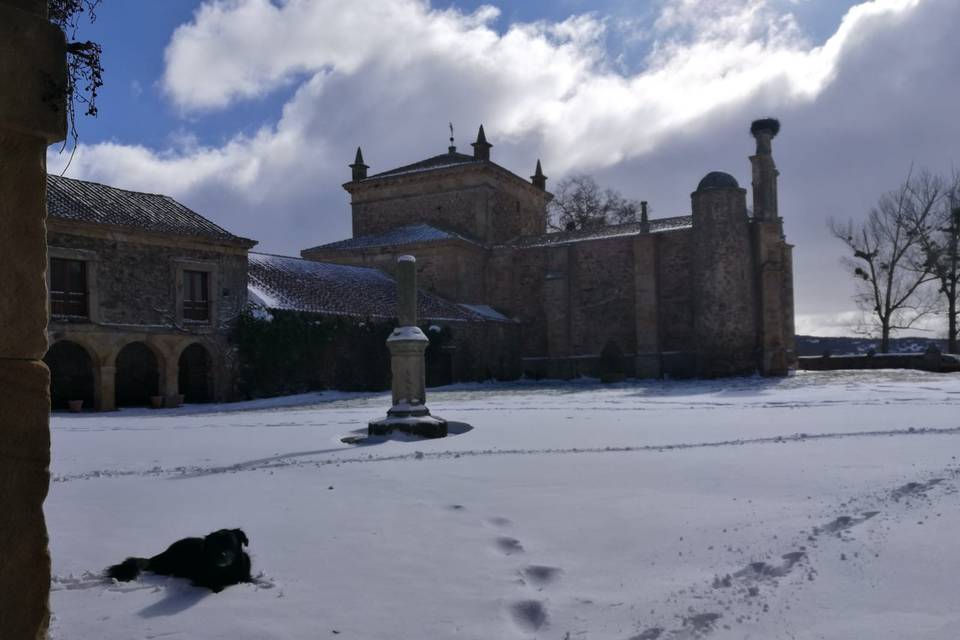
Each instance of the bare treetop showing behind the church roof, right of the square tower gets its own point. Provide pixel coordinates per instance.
(580, 203)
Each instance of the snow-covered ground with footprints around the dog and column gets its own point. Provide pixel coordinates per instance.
(819, 506)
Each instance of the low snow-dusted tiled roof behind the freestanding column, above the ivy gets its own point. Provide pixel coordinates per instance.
(295, 284)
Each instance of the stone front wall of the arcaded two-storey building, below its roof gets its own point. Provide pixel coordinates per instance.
(135, 330)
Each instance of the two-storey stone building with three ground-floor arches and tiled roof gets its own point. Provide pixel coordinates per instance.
(142, 294)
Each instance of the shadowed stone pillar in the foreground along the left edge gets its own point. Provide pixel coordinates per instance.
(33, 75)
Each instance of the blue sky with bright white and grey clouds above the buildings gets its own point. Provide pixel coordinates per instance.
(249, 110)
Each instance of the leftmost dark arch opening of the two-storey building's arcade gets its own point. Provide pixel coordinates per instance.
(74, 373)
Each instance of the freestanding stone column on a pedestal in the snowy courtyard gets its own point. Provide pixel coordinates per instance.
(407, 345)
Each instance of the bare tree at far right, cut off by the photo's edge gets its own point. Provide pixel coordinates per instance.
(940, 241)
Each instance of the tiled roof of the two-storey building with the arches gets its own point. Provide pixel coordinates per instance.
(82, 201)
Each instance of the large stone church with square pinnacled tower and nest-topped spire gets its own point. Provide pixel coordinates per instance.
(708, 294)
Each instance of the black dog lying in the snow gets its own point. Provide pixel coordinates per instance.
(215, 561)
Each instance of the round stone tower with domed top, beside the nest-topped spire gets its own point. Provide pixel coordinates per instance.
(723, 289)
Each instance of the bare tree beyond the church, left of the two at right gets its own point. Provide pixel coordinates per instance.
(887, 260)
